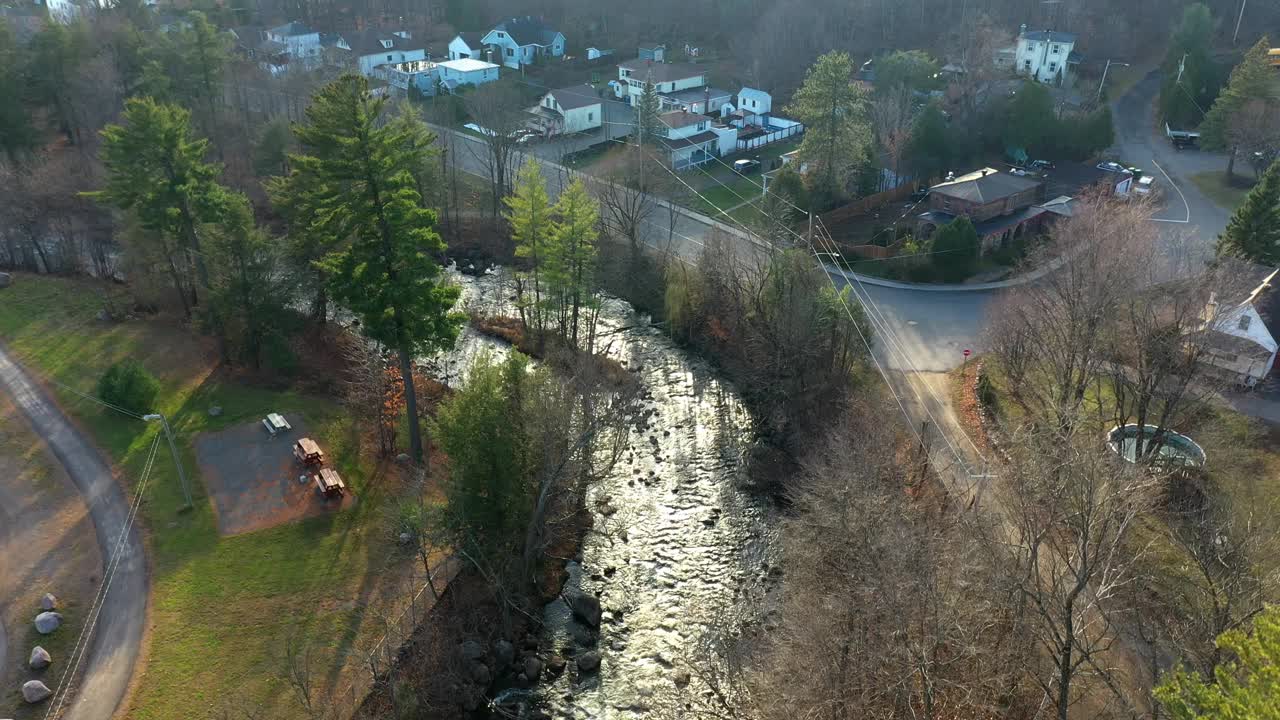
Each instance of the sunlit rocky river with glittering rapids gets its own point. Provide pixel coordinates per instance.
(684, 562)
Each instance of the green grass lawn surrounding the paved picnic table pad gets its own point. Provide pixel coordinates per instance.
(221, 608)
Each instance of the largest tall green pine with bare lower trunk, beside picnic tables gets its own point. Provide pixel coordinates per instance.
(353, 183)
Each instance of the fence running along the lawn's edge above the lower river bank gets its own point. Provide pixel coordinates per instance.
(344, 704)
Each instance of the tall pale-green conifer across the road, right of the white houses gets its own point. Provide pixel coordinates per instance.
(835, 117)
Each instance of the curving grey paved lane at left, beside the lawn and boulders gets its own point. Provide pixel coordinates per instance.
(117, 640)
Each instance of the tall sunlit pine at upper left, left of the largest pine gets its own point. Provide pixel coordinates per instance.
(157, 170)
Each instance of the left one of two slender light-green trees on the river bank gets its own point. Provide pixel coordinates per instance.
(531, 215)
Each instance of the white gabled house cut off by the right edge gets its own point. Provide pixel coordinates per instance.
(1245, 329)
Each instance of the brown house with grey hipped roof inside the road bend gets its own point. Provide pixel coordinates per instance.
(1000, 206)
